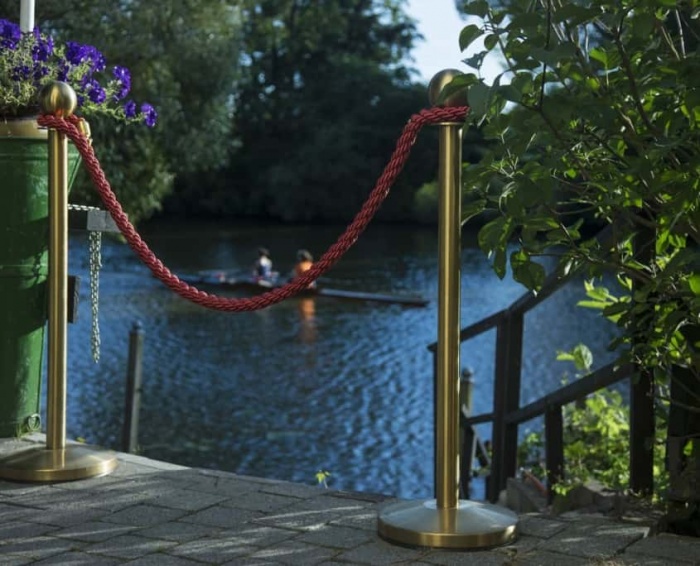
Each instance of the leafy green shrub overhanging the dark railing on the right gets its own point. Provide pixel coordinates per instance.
(594, 124)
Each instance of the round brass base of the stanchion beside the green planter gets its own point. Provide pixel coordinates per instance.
(74, 462)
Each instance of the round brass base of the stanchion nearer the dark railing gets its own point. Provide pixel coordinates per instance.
(471, 524)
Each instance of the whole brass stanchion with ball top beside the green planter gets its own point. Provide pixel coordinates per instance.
(57, 462)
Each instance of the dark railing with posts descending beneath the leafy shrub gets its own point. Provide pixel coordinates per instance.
(508, 414)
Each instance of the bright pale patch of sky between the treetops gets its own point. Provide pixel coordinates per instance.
(440, 24)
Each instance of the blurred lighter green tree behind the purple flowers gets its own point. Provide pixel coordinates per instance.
(183, 56)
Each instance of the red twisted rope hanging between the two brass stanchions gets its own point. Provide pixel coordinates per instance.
(381, 190)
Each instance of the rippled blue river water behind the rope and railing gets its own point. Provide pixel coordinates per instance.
(307, 384)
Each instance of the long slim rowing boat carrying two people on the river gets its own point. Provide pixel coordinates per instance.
(220, 280)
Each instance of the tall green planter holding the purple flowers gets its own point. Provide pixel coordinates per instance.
(24, 241)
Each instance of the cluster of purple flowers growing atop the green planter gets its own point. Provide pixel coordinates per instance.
(32, 59)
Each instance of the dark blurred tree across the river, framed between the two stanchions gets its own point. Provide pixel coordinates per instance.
(322, 100)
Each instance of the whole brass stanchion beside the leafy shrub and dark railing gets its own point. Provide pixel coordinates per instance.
(447, 521)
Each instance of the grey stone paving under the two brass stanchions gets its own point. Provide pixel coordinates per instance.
(151, 513)
